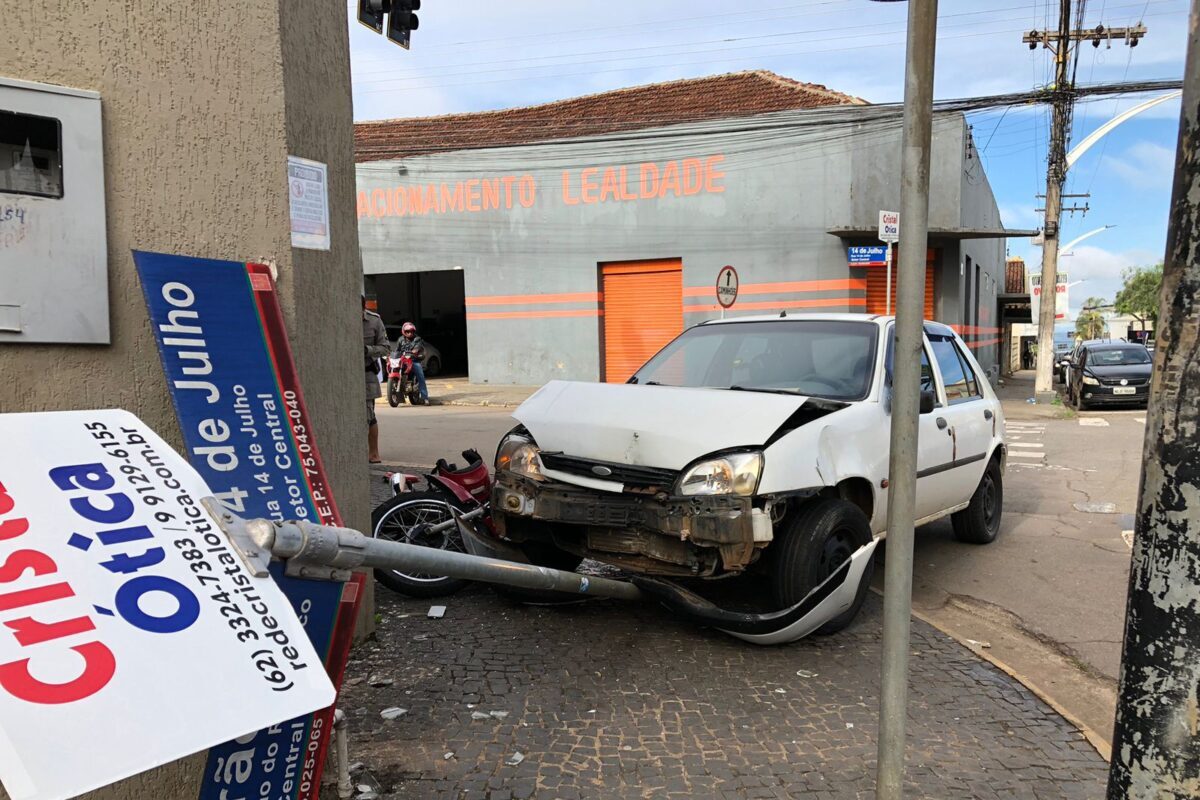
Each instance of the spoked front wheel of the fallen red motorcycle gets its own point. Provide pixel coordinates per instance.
(398, 521)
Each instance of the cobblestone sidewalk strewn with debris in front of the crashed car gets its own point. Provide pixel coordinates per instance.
(609, 700)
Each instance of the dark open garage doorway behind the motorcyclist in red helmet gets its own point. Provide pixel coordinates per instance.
(436, 303)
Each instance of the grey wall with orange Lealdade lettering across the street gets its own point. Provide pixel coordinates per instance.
(779, 196)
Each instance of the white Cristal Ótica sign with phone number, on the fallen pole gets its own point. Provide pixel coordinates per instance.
(131, 633)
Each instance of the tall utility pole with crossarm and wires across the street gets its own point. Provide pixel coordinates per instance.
(1060, 43)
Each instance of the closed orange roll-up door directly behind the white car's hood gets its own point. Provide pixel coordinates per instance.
(643, 312)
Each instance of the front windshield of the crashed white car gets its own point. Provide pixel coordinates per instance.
(829, 359)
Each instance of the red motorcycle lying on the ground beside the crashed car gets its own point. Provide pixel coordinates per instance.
(429, 519)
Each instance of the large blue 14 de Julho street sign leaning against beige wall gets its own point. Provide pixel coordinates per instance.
(247, 431)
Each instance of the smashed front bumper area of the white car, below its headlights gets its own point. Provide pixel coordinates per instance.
(653, 533)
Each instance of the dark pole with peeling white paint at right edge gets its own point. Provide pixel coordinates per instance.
(1156, 745)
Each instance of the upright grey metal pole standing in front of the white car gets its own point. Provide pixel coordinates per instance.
(919, 113)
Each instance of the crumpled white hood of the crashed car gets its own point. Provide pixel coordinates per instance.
(651, 426)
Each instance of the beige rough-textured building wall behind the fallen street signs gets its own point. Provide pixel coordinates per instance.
(202, 105)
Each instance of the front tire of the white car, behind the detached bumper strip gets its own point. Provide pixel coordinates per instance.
(819, 540)
